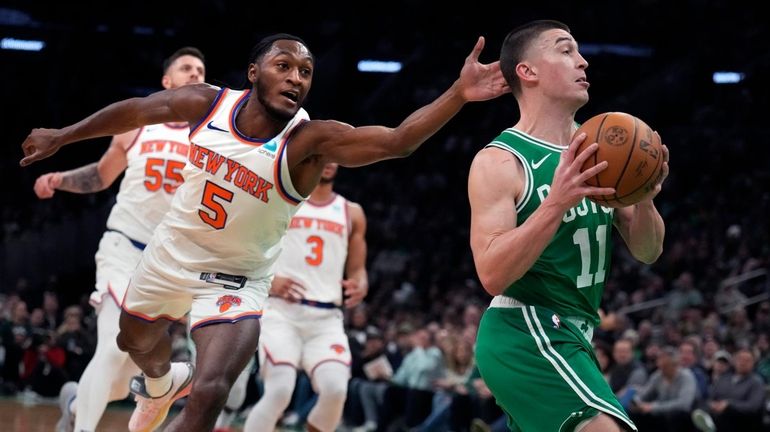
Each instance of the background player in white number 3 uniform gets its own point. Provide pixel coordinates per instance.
(324, 254)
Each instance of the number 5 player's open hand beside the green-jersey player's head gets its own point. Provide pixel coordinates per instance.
(479, 81)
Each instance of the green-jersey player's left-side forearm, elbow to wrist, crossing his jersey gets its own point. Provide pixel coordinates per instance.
(511, 254)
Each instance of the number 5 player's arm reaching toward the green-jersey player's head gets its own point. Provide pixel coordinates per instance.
(349, 146)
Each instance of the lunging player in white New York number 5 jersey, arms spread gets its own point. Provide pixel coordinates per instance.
(252, 161)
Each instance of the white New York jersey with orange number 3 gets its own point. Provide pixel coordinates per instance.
(316, 248)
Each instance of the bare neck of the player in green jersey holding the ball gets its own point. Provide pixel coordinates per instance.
(547, 122)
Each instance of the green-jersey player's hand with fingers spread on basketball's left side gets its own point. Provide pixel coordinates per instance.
(569, 185)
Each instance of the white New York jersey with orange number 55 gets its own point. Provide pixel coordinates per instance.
(155, 158)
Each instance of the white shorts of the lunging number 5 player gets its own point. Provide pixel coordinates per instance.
(161, 288)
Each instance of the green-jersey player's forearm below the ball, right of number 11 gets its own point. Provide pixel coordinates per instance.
(646, 232)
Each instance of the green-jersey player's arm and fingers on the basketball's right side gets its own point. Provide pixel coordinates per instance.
(641, 226)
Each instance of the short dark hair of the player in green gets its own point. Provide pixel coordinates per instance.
(515, 45)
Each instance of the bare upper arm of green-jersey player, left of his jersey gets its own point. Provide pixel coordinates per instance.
(493, 184)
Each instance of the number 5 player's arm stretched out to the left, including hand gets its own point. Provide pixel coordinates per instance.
(187, 103)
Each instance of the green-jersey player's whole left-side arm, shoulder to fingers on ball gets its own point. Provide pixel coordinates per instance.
(503, 250)
